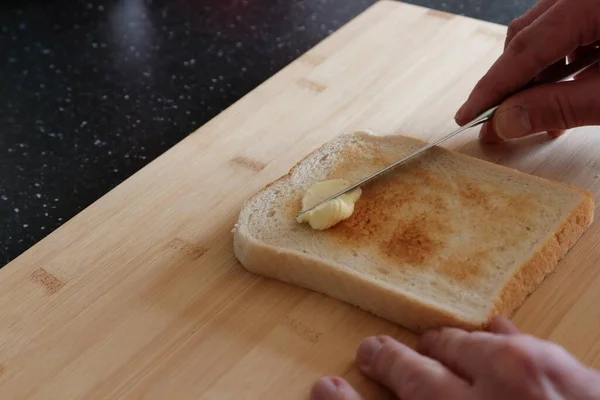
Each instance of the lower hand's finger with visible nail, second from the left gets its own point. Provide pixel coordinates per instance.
(407, 373)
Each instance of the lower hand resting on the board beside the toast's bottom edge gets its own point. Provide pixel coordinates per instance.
(454, 364)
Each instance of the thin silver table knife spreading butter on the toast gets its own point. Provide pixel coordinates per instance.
(561, 73)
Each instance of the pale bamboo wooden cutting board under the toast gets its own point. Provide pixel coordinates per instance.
(140, 295)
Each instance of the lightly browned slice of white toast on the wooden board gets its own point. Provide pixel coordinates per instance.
(444, 240)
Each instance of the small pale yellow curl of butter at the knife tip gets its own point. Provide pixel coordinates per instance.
(334, 211)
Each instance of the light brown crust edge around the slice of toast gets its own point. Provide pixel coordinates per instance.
(392, 303)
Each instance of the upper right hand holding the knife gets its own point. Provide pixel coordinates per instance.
(551, 32)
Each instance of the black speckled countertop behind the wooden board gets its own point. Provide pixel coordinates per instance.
(92, 91)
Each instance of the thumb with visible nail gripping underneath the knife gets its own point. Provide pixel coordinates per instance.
(551, 107)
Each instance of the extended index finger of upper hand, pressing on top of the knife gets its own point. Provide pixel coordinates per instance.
(564, 26)
